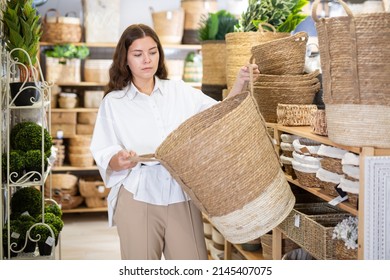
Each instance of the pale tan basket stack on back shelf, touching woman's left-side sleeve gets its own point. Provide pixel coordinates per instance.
(79, 153)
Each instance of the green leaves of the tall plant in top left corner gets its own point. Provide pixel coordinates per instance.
(22, 29)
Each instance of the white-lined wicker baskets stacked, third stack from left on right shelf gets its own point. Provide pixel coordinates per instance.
(331, 171)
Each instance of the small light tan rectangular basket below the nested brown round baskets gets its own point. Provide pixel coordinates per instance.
(294, 114)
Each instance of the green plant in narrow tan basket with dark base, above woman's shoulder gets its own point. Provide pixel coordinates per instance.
(211, 32)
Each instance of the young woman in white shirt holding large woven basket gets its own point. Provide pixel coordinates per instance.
(153, 215)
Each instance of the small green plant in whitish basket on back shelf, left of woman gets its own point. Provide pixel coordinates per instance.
(63, 62)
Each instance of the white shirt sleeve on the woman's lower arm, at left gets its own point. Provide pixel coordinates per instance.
(105, 145)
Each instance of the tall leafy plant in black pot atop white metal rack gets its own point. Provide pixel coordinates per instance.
(22, 32)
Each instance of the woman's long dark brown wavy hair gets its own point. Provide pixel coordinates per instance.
(120, 74)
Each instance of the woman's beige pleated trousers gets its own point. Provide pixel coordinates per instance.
(147, 231)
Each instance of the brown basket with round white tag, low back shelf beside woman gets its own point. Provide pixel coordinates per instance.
(94, 192)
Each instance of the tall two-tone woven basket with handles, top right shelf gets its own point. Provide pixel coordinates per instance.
(356, 68)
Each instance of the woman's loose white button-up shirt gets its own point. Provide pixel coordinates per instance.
(128, 119)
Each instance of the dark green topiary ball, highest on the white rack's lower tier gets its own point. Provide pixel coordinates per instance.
(26, 199)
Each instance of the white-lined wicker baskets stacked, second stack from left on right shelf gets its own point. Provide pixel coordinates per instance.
(306, 162)
